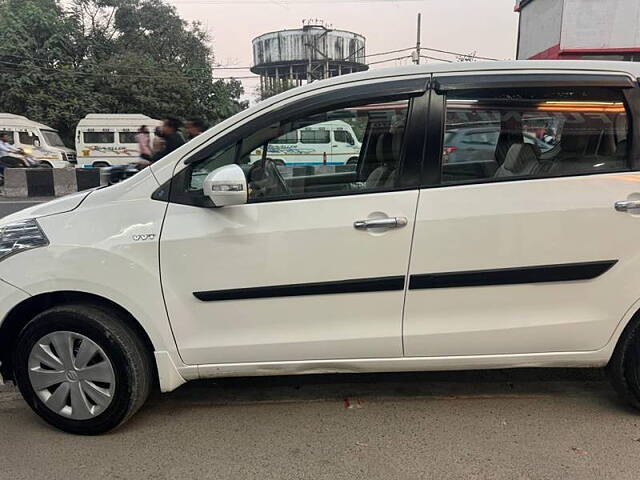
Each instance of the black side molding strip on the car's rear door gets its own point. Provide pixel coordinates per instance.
(512, 276)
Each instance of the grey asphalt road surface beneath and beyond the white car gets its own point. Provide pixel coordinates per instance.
(501, 424)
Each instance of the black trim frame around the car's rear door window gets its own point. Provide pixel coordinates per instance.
(432, 167)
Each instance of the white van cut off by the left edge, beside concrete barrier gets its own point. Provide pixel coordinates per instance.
(38, 140)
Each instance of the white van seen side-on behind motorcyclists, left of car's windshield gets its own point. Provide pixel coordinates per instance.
(110, 139)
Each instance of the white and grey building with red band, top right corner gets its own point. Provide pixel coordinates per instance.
(579, 29)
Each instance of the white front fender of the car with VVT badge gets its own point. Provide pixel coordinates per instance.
(100, 249)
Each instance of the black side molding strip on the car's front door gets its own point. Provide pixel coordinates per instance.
(382, 284)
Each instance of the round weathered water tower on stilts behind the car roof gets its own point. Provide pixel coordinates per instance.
(314, 52)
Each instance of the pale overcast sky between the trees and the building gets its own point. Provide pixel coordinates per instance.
(488, 27)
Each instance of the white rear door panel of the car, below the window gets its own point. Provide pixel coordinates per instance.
(521, 224)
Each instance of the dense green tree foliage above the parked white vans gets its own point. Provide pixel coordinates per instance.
(107, 56)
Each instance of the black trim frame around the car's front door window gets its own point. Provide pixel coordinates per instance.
(174, 191)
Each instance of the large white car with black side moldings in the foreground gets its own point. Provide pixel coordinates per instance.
(209, 265)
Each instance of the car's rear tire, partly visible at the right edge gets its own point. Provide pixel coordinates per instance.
(624, 367)
